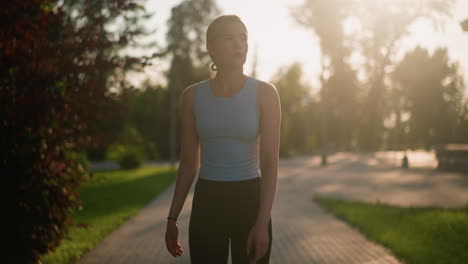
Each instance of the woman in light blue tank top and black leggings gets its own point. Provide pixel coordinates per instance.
(231, 123)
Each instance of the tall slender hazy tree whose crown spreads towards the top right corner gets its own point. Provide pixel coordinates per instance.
(379, 43)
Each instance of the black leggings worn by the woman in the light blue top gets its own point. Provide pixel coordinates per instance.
(223, 210)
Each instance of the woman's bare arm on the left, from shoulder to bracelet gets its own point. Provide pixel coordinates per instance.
(190, 152)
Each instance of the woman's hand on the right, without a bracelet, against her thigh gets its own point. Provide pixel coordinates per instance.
(257, 242)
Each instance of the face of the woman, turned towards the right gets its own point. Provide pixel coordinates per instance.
(229, 47)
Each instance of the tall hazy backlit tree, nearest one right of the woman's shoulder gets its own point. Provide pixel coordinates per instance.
(338, 94)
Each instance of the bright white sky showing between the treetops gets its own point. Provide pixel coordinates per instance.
(279, 40)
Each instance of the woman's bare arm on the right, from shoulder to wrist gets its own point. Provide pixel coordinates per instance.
(269, 148)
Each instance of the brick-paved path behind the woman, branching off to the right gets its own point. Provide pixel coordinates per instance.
(302, 231)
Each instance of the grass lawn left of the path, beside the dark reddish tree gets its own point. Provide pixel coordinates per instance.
(109, 199)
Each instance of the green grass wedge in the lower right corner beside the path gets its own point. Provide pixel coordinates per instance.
(417, 235)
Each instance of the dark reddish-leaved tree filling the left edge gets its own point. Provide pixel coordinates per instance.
(55, 67)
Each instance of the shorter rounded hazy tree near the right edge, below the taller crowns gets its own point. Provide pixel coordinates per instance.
(432, 91)
